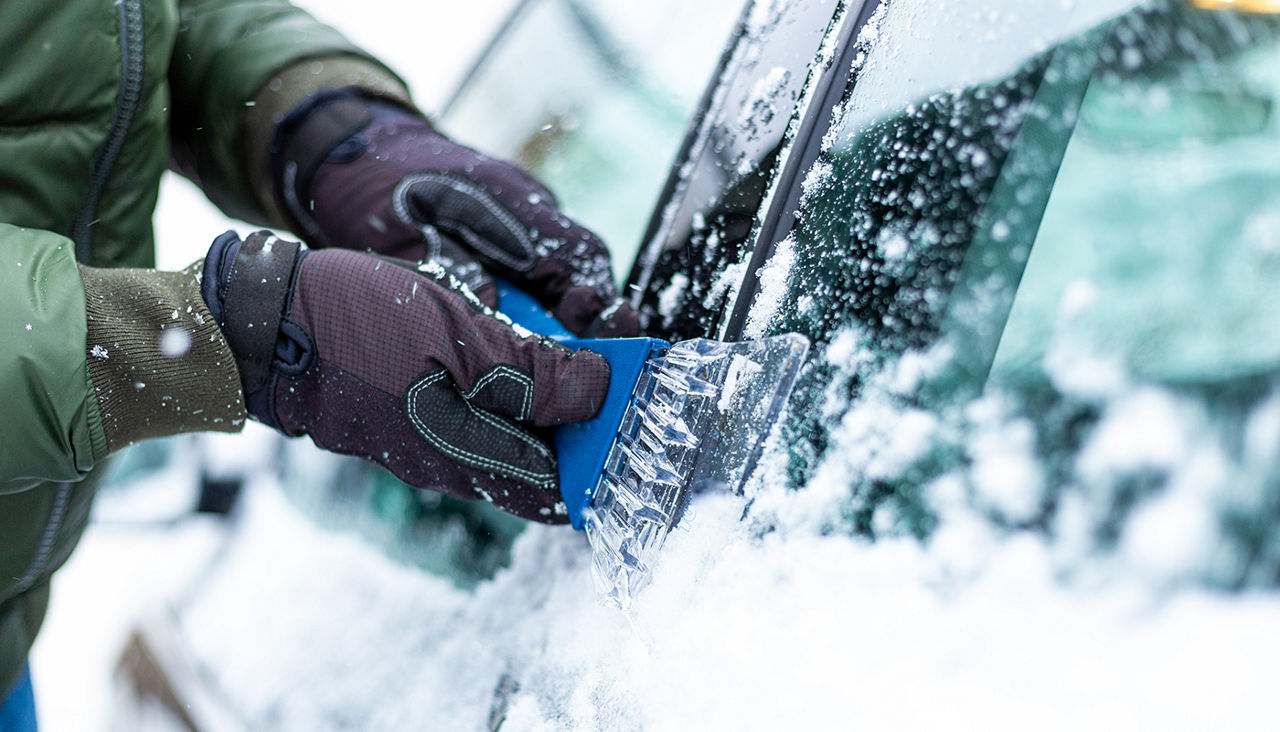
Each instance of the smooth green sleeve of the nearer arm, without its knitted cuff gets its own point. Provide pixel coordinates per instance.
(52, 429)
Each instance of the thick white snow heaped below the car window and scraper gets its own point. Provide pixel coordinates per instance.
(787, 620)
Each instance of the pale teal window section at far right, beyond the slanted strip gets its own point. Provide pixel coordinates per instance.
(1159, 248)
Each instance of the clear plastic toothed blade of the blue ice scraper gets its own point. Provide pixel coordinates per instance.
(698, 422)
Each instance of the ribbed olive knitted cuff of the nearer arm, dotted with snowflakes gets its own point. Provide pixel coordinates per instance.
(157, 360)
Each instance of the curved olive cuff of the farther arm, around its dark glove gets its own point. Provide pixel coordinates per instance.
(286, 91)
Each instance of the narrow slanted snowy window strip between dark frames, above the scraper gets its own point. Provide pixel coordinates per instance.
(698, 245)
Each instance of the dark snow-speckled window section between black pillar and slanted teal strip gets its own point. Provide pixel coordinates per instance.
(920, 154)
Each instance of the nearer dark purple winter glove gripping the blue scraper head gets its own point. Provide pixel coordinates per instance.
(373, 359)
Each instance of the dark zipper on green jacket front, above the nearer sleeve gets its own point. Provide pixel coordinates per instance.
(132, 58)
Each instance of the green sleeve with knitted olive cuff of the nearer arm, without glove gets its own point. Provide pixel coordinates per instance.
(95, 360)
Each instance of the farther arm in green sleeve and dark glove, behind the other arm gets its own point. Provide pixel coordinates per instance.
(241, 68)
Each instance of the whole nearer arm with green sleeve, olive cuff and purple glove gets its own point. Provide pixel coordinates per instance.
(367, 356)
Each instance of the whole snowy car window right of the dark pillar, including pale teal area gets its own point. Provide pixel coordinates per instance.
(925, 219)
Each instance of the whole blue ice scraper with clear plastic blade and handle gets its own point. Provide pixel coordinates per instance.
(679, 420)
